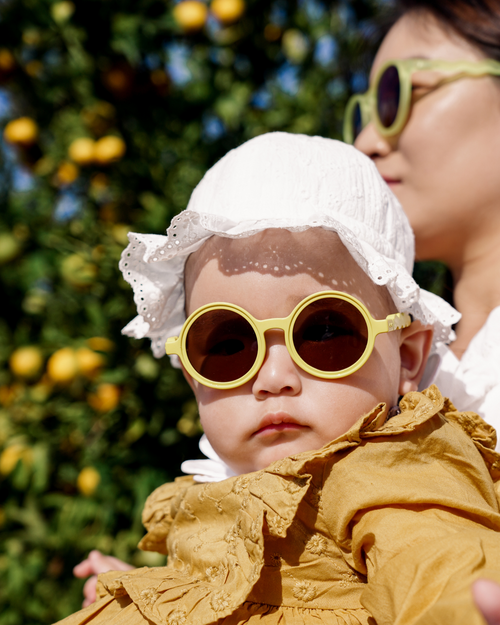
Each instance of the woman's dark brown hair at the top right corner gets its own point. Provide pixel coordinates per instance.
(477, 21)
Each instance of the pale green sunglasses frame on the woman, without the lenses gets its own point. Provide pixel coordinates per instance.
(406, 68)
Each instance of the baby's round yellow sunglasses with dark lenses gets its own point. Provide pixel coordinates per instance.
(329, 335)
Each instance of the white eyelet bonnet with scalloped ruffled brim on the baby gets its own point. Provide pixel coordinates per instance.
(280, 180)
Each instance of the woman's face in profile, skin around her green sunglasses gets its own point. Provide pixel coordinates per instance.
(444, 165)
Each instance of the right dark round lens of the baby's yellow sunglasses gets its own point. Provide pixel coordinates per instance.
(330, 334)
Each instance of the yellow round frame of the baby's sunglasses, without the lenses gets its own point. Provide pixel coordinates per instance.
(177, 345)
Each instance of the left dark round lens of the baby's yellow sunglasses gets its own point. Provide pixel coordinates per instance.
(221, 345)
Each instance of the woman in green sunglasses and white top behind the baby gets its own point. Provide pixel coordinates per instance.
(440, 154)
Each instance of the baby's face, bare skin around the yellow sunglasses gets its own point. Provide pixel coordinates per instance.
(283, 410)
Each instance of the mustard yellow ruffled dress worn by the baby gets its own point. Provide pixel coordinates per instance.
(388, 524)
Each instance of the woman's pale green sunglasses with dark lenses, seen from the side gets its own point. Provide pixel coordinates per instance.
(387, 102)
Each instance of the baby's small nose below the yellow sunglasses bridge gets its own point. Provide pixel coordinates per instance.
(278, 374)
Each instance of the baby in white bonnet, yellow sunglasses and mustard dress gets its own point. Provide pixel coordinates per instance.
(284, 291)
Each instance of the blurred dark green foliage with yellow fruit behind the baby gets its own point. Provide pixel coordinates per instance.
(111, 112)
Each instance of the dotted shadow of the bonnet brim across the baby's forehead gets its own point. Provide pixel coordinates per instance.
(278, 252)
